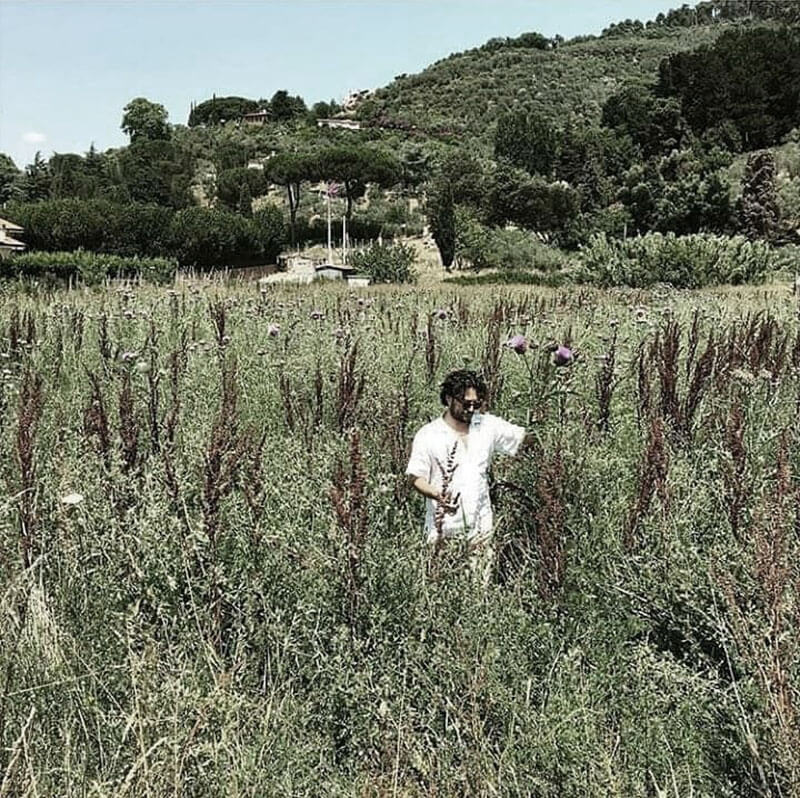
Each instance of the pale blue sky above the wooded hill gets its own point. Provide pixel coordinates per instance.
(68, 68)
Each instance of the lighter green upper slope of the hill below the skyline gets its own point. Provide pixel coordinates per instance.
(466, 92)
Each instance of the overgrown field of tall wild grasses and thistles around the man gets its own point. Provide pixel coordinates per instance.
(214, 581)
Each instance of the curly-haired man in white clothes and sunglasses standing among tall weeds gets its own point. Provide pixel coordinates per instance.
(450, 461)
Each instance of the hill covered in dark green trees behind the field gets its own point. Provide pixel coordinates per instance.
(679, 125)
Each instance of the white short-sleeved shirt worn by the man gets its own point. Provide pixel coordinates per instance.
(471, 457)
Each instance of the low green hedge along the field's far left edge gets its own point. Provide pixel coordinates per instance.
(88, 267)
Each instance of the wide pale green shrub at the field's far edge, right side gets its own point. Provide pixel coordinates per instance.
(691, 261)
